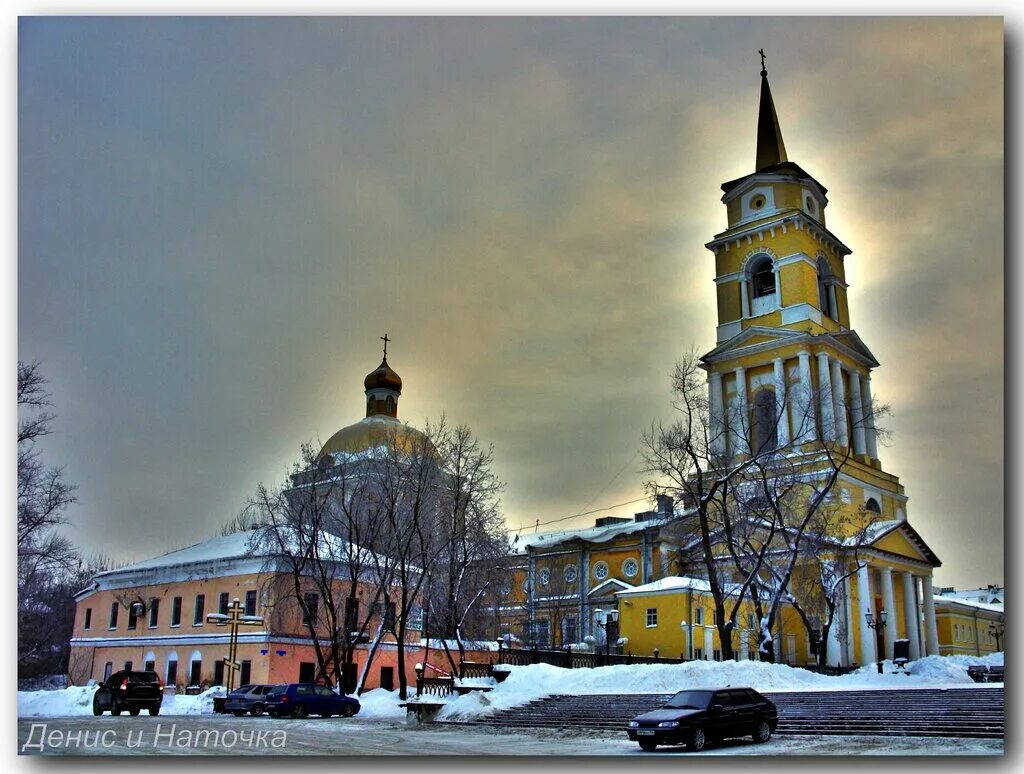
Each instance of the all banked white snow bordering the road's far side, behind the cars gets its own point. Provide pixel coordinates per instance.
(528, 683)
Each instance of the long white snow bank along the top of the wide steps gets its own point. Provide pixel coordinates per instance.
(536, 681)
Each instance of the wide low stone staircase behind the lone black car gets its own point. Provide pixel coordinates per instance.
(964, 713)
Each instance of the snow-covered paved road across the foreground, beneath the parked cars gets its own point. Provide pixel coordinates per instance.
(220, 736)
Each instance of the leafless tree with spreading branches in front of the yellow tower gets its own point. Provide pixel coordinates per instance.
(755, 491)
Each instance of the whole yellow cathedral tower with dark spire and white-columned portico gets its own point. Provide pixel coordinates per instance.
(790, 365)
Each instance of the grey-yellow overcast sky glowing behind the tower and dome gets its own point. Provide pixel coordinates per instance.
(219, 220)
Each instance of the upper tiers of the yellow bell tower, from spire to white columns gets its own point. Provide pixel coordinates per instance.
(788, 364)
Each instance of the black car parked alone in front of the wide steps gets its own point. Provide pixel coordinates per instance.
(697, 717)
